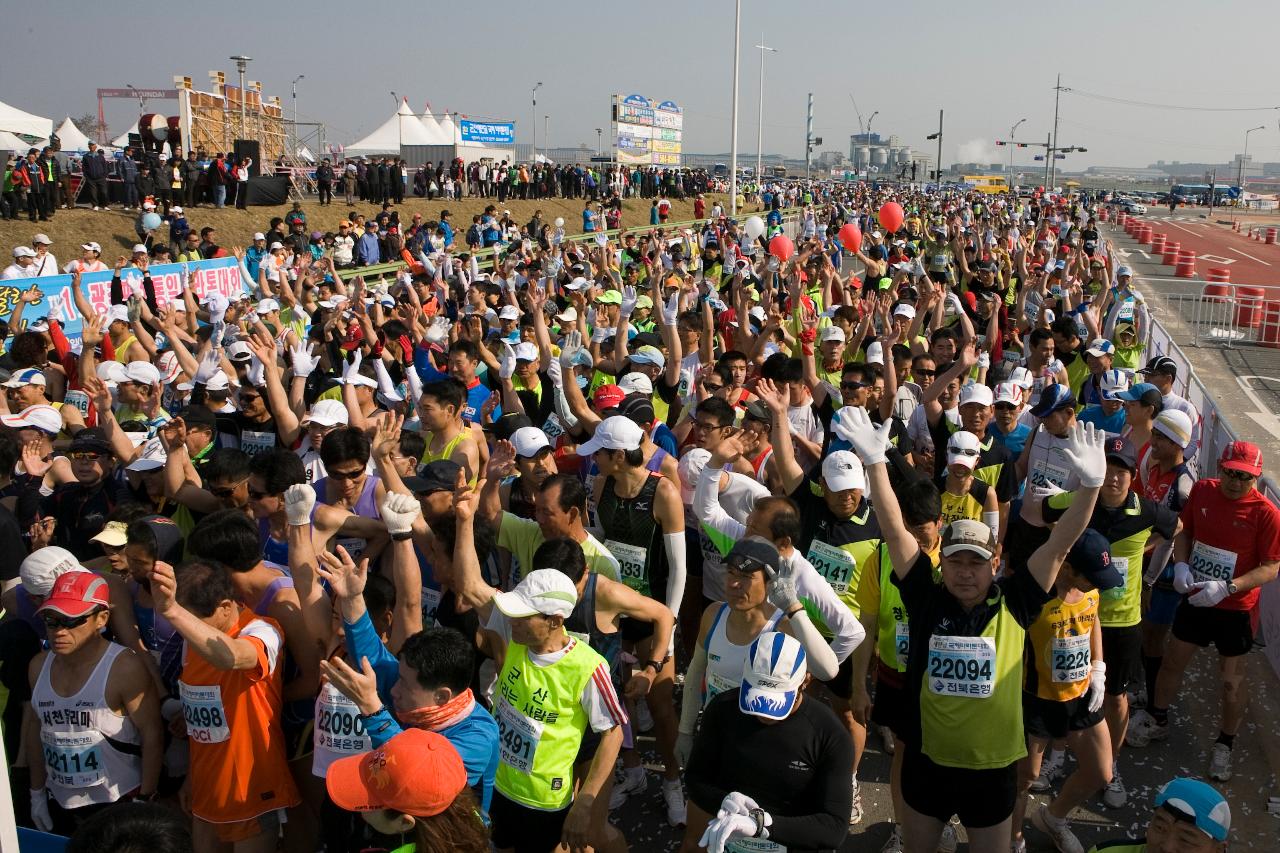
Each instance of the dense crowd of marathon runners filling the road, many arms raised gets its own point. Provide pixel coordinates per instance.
(353, 565)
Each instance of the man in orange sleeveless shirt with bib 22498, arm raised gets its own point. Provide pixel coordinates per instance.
(240, 784)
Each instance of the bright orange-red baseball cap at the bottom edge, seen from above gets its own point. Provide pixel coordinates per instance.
(417, 773)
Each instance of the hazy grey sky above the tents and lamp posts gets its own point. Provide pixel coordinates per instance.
(988, 65)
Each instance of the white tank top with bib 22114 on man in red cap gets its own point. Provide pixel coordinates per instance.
(83, 738)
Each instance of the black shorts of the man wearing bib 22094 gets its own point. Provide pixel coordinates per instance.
(977, 797)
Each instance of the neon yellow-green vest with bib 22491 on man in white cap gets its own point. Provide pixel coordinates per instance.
(541, 726)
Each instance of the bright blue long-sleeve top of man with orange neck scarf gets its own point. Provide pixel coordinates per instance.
(476, 737)
